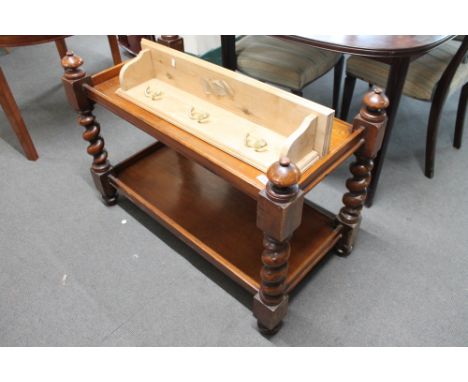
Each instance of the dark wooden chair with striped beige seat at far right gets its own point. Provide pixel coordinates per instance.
(432, 77)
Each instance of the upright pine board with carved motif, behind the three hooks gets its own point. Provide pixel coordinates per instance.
(261, 103)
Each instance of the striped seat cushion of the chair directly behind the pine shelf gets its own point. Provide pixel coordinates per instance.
(289, 64)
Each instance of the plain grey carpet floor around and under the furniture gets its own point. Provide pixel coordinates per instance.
(71, 274)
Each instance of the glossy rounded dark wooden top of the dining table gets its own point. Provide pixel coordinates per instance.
(374, 45)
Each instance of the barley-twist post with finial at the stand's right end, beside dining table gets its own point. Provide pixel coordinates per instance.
(372, 118)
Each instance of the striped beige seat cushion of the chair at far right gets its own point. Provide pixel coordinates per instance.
(423, 74)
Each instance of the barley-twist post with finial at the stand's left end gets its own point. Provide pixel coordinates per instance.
(73, 80)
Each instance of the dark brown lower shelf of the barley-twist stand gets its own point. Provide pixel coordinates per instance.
(214, 218)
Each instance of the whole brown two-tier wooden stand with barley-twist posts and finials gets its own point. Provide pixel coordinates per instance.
(218, 205)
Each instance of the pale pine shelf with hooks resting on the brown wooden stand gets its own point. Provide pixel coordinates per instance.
(292, 126)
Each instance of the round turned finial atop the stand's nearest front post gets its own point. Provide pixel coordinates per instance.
(283, 177)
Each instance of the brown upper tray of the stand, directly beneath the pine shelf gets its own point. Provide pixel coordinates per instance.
(344, 140)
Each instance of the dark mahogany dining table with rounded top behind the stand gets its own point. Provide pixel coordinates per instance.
(396, 50)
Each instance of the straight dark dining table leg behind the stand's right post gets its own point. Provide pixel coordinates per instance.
(395, 83)
